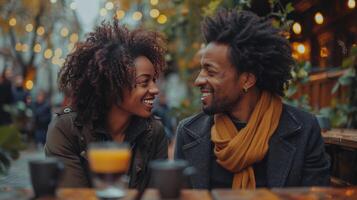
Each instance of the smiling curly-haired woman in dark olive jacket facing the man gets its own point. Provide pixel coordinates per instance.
(111, 79)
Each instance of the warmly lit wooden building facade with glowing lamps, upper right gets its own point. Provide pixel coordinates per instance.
(323, 33)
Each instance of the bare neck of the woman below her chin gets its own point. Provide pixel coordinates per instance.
(118, 121)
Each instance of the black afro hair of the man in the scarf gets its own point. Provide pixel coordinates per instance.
(255, 46)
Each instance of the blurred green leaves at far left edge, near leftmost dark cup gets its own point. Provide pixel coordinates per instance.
(10, 145)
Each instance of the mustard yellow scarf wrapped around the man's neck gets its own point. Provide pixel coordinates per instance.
(238, 150)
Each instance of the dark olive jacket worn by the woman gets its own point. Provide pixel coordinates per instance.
(68, 140)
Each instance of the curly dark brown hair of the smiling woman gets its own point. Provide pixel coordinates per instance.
(98, 69)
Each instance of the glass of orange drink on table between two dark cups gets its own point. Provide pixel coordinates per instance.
(109, 162)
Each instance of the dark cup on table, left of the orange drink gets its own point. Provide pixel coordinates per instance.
(45, 175)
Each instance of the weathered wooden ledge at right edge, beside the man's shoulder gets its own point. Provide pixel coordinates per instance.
(342, 137)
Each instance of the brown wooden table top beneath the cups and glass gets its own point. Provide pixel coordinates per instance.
(307, 193)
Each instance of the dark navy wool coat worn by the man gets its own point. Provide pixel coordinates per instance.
(296, 155)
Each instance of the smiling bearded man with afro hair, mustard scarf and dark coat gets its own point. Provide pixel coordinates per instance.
(246, 137)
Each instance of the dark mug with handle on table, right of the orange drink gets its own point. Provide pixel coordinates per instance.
(169, 176)
